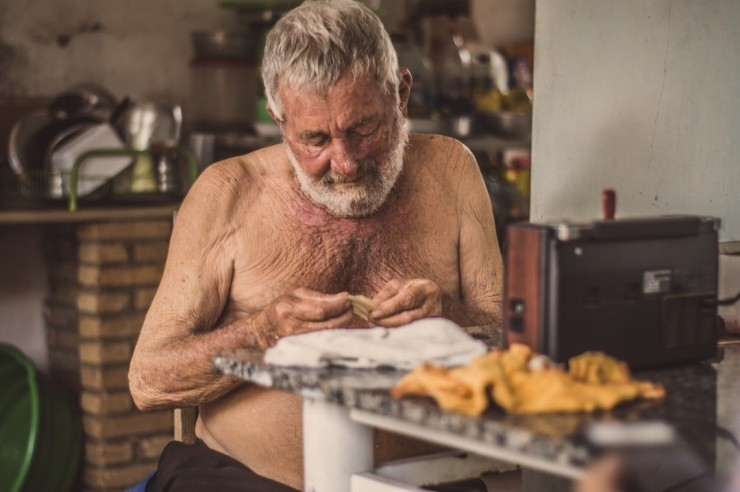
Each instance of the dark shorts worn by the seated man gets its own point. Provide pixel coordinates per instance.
(196, 467)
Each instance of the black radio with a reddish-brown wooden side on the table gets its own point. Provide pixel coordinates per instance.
(643, 290)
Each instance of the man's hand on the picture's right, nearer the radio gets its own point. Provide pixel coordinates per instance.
(402, 301)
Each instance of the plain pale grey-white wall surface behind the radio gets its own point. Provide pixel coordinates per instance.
(640, 96)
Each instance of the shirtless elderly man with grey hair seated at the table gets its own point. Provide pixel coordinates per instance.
(269, 244)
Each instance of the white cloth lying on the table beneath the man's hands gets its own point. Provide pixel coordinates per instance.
(434, 340)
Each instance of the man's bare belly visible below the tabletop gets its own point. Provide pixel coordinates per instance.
(262, 428)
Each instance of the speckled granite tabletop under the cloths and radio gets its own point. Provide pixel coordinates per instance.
(702, 403)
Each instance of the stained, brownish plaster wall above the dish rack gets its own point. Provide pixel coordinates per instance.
(143, 48)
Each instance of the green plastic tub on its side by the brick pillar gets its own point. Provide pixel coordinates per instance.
(40, 428)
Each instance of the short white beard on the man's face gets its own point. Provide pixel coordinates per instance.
(360, 200)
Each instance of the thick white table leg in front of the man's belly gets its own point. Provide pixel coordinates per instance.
(334, 447)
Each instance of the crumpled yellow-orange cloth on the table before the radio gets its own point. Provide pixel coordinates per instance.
(520, 383)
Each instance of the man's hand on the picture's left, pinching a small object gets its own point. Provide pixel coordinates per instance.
(305, 310)
